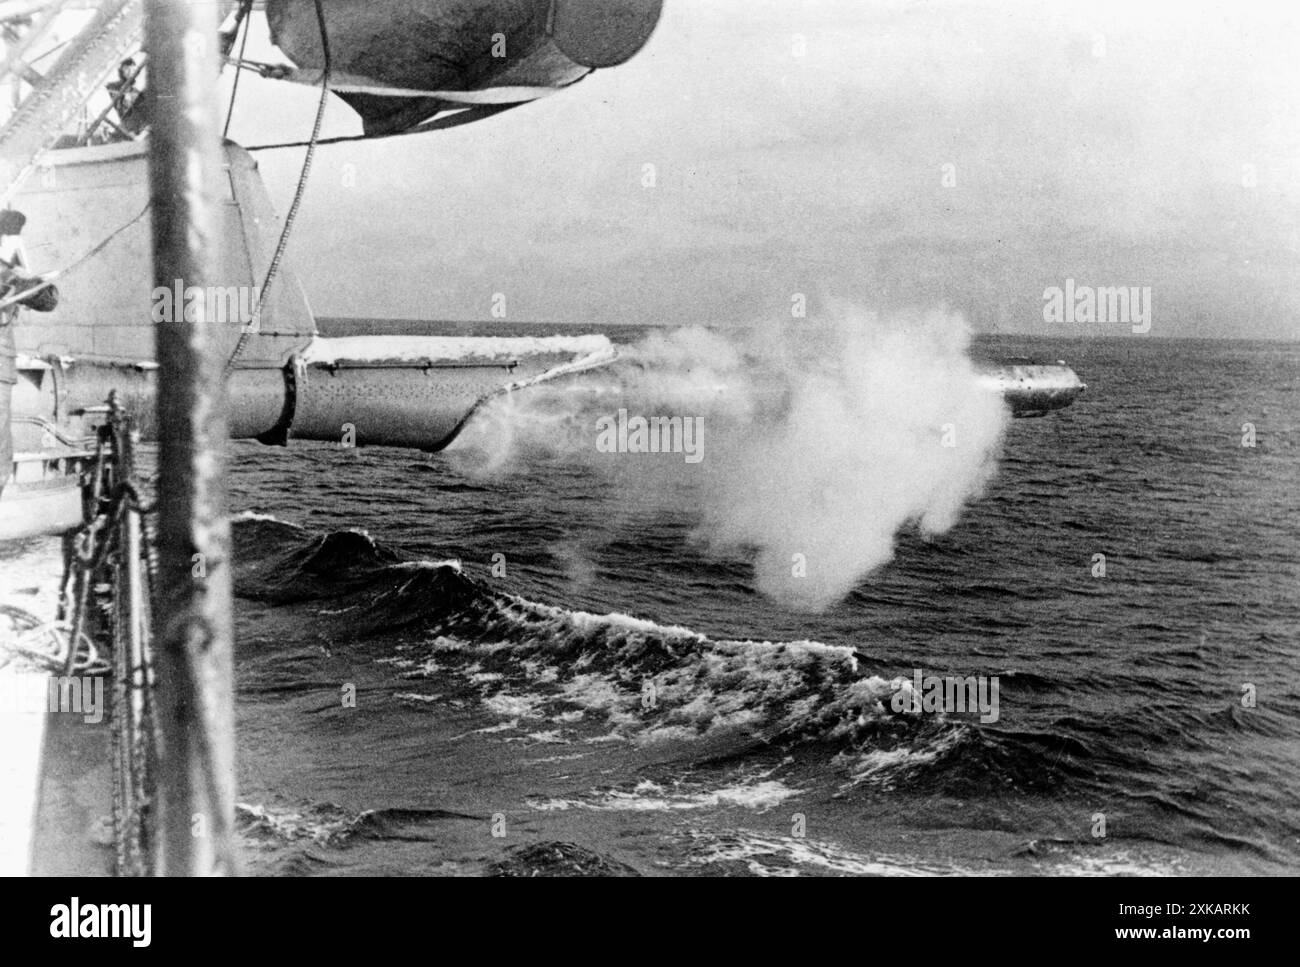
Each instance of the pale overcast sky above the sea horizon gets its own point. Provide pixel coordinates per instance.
(1133, 144)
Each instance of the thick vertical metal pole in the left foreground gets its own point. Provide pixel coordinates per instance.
(194, 643)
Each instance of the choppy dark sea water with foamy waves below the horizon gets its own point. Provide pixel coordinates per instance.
(623, 695)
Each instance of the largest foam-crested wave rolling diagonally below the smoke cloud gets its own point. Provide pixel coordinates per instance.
(552, 675)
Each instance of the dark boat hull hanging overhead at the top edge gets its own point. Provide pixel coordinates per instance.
(400, 63)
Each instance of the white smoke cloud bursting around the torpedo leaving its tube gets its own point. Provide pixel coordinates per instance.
(825, 440)
